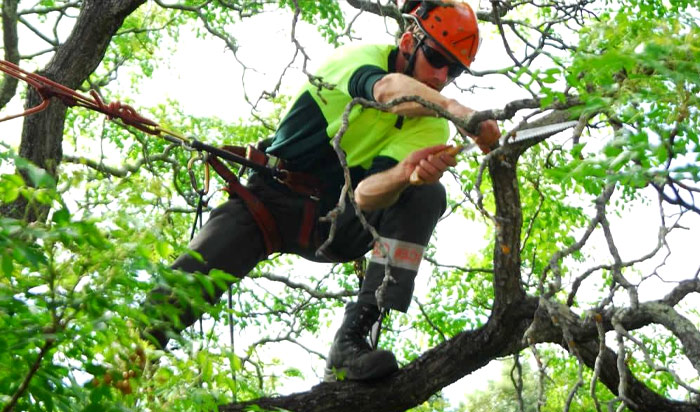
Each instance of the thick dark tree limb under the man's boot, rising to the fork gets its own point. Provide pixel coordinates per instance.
(418, 380)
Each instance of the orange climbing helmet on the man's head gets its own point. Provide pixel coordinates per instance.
(451, 24)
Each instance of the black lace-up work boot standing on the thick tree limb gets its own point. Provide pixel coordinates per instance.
(351, 357)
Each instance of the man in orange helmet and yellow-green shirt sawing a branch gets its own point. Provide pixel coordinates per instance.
(383, 150)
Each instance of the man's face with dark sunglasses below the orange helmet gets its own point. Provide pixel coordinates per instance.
(433, 67)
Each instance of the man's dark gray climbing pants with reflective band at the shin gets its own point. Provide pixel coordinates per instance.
(232, 242)
